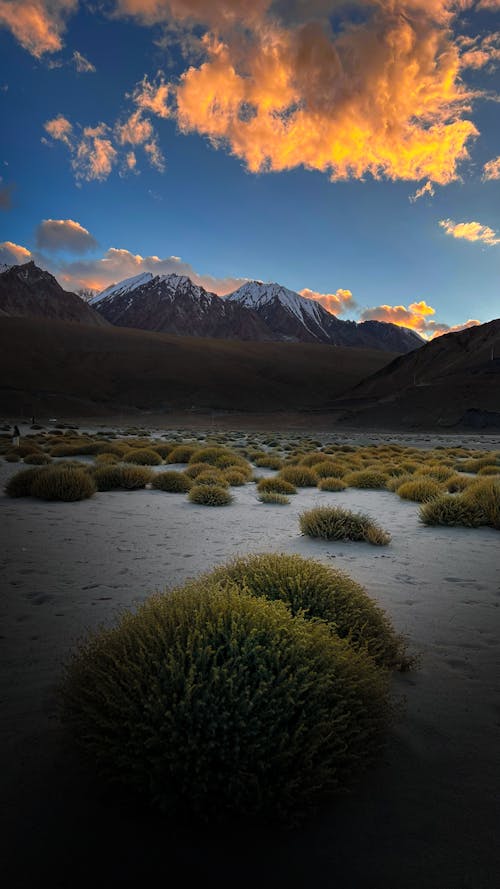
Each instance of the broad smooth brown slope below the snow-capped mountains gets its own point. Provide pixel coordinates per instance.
(53, 366)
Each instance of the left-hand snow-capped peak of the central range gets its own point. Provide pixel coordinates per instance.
(173, 304)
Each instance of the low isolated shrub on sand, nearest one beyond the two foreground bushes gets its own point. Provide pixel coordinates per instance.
(334, 523)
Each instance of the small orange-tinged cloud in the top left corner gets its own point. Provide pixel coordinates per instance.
(37, 24)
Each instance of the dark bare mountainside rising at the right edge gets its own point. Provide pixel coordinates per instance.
(453, 380)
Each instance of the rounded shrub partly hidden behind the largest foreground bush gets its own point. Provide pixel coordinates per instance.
(319, 592)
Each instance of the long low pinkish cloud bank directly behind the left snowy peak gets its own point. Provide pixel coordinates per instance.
(117, 264)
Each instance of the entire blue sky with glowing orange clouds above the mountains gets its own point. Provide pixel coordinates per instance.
(347, 150)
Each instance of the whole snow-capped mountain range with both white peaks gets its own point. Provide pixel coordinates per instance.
(256, 311)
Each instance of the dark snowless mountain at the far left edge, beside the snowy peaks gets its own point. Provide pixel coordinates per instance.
(27, 291)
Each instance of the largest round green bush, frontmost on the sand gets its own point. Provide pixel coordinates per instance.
(213, 703)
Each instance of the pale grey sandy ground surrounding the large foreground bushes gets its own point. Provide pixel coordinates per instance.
(426, 816)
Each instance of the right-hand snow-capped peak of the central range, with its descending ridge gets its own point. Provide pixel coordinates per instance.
(296, 318)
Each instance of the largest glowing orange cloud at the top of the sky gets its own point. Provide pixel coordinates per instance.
(382, 95)
